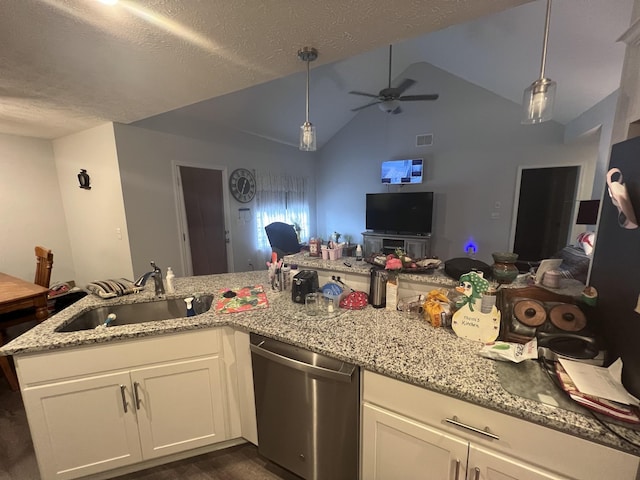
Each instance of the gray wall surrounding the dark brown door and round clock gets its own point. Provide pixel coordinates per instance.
(146, 160)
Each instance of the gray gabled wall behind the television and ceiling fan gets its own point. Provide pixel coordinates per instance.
(479, 145)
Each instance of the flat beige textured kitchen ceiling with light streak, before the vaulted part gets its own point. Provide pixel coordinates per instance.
(69, 64)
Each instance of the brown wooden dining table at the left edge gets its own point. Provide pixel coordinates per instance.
(18, 294)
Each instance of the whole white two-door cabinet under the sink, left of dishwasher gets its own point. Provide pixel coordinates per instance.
(106, 406)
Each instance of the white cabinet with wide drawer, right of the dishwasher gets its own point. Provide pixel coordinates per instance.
(421, 419)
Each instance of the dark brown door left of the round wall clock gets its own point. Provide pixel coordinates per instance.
(204, 207)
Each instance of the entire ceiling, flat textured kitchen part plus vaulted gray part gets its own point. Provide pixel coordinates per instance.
(67, 65)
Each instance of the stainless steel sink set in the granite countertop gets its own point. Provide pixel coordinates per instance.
(136, 313)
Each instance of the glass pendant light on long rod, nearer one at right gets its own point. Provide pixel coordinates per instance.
(538, 99)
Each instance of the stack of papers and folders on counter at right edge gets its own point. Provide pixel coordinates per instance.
(599, 389)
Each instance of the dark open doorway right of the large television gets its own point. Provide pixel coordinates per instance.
(545, 209)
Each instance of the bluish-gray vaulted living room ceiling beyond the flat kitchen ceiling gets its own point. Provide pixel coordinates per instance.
(499, 52)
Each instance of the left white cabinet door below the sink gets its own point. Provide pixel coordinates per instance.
(79, 427)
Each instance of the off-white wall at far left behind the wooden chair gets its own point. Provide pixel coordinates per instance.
(31, 209)
